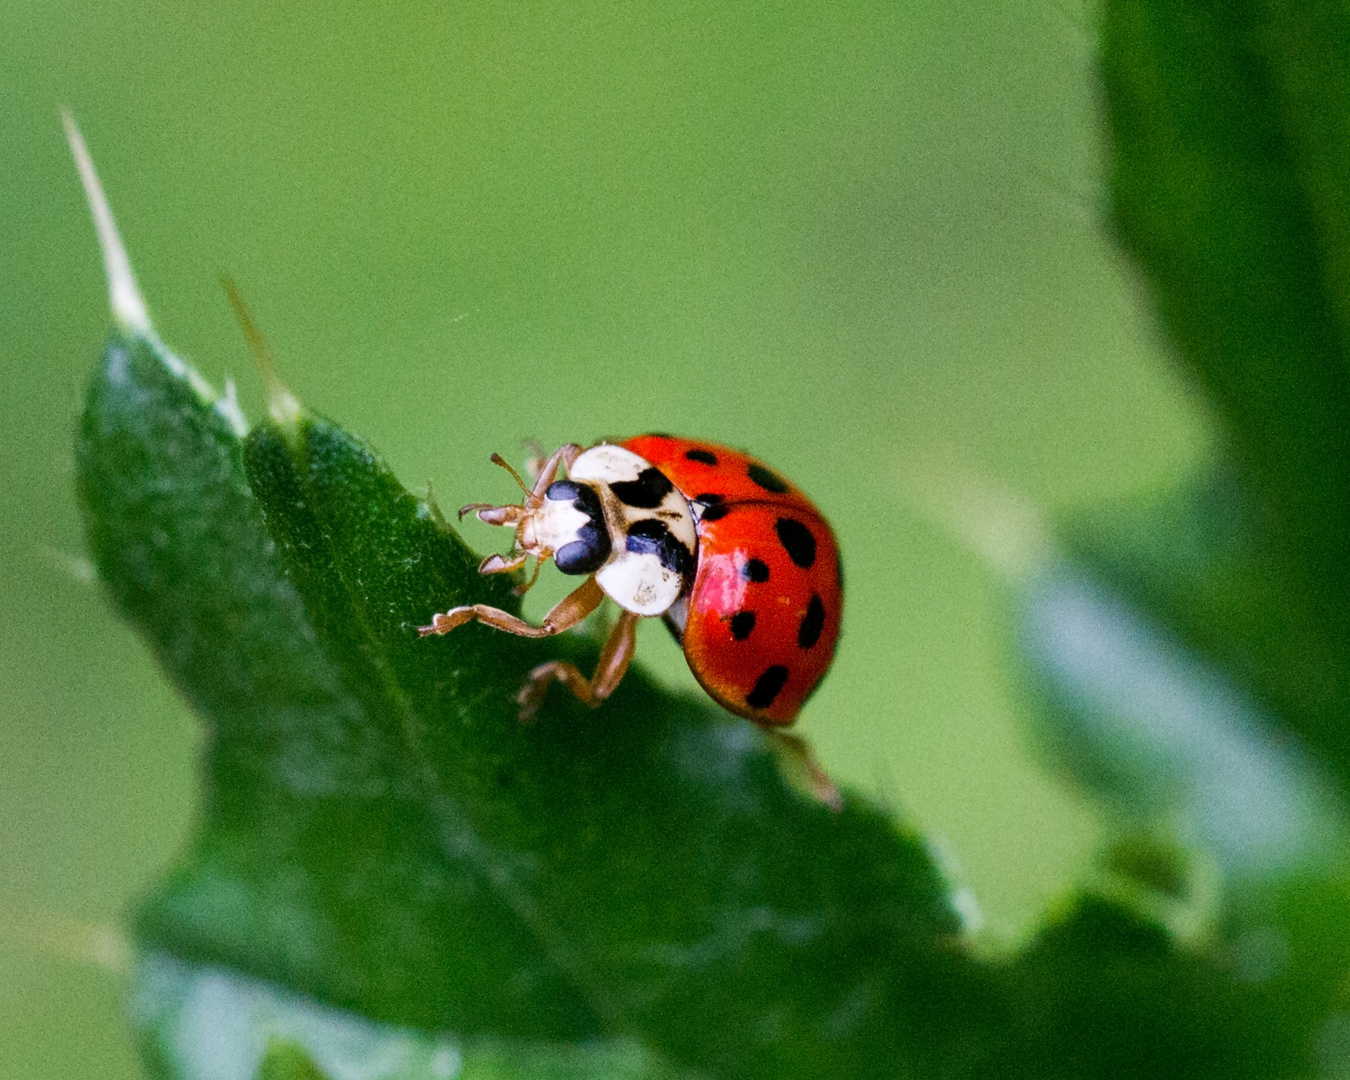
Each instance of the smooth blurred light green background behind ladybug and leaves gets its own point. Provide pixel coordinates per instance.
(861, 240)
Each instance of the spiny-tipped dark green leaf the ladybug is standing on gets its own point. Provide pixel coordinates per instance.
(383, 834)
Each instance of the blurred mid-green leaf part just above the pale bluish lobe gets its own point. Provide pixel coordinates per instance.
(1204, 565)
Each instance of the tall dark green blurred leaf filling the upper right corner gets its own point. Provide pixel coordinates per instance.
(1231, 186)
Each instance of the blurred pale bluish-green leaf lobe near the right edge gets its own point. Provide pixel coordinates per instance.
(1170, 738)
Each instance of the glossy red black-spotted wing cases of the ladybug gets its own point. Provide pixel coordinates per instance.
(765, 610)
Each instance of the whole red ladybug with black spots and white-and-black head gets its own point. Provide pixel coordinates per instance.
(740, 565)
